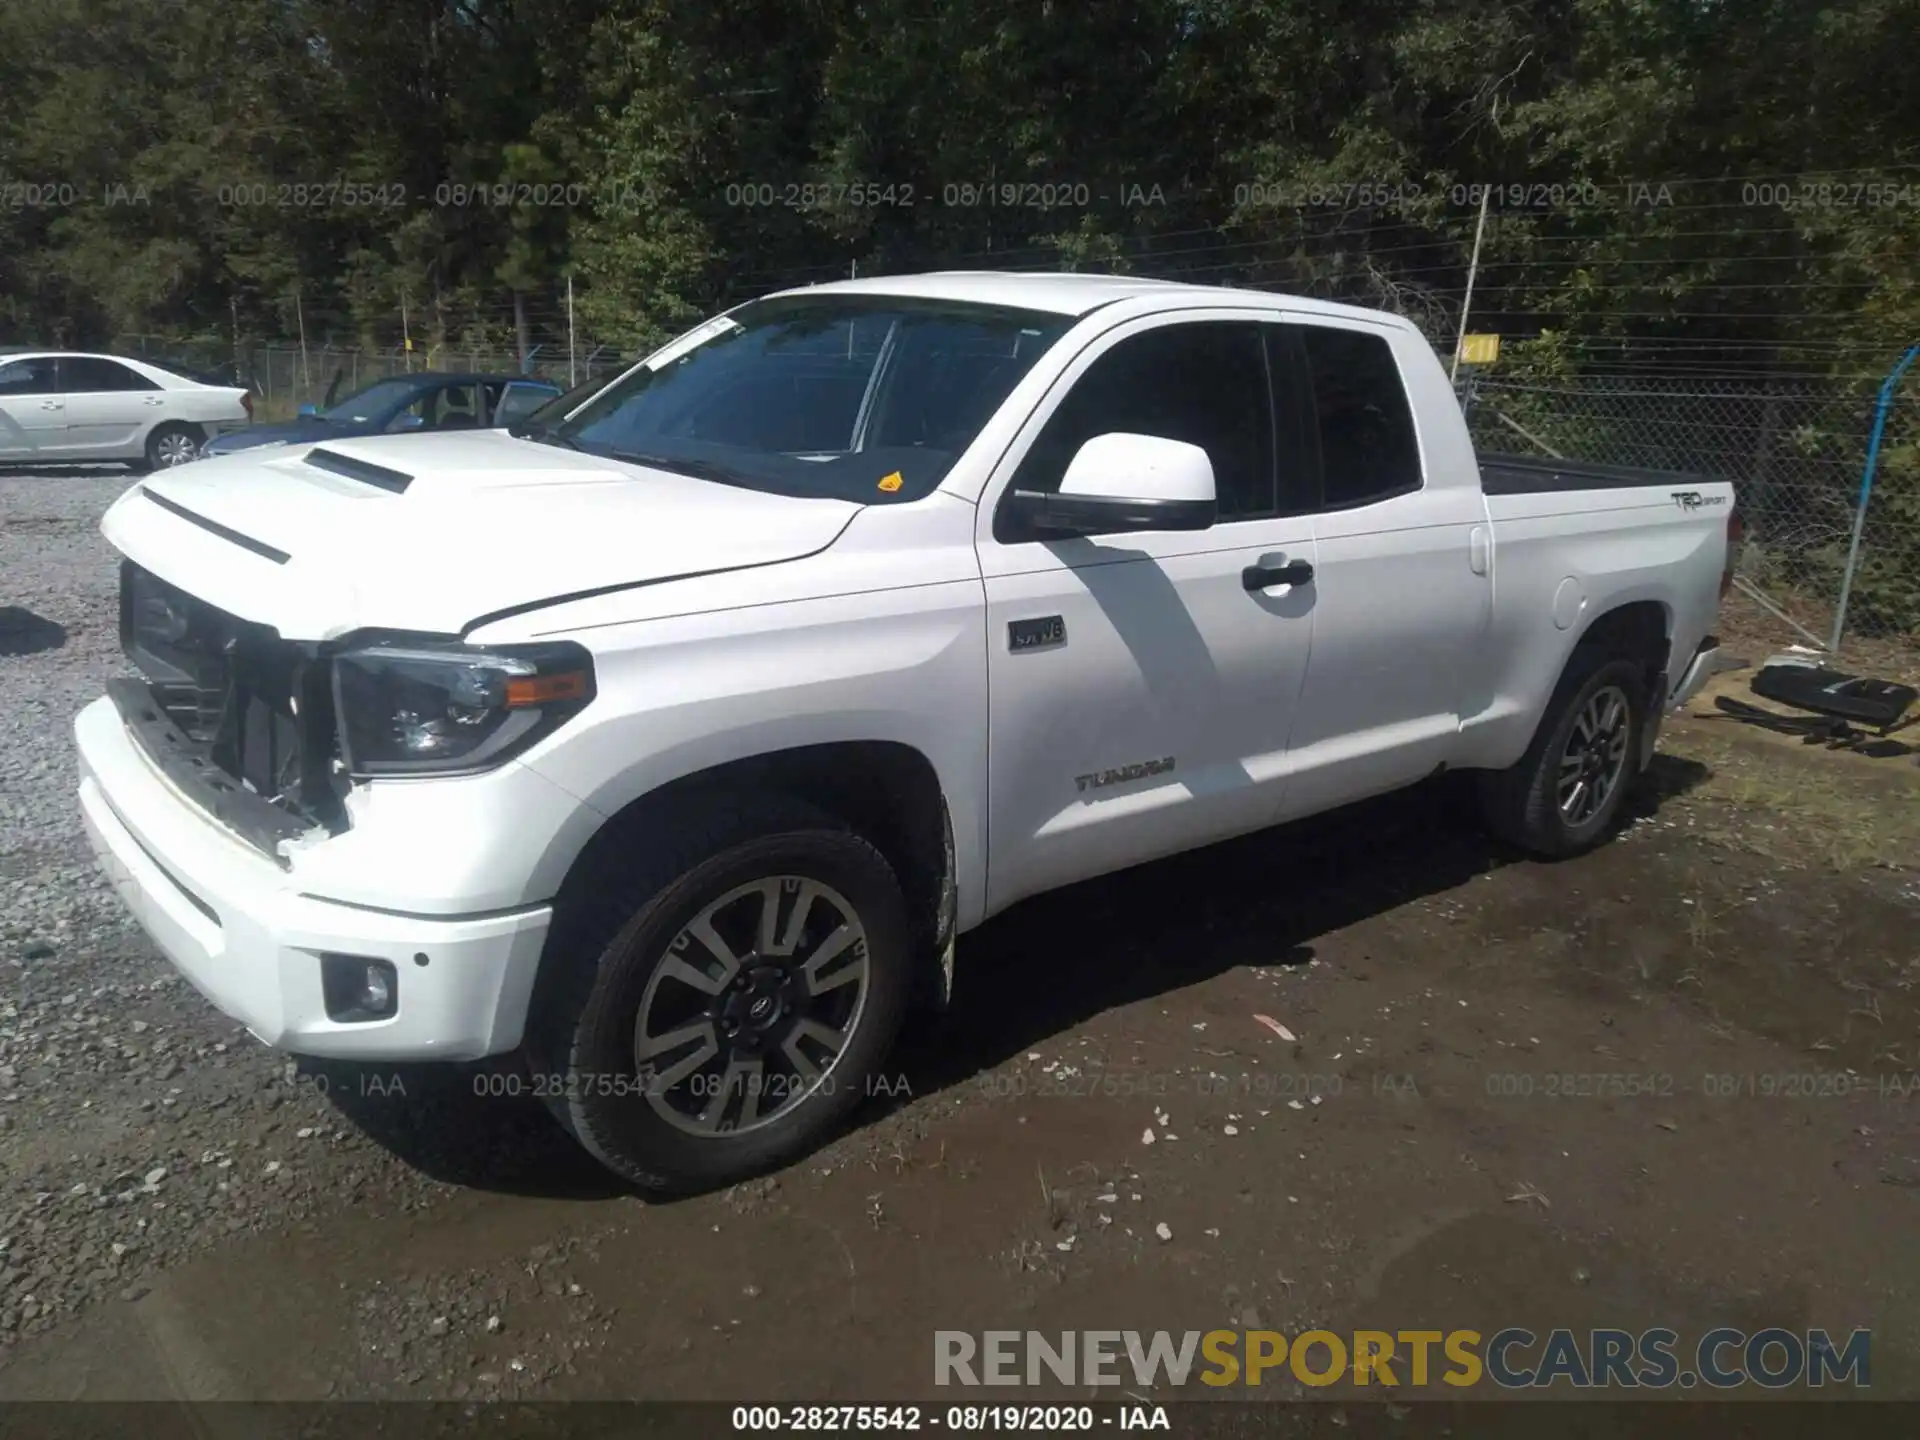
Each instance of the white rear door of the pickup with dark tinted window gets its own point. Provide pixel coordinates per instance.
(1403, 577)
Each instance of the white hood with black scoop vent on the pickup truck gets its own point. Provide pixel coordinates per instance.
(437, 533)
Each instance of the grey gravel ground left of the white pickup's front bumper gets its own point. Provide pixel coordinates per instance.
(137, 1126)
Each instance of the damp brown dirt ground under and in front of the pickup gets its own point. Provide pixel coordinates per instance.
(1410, 1161)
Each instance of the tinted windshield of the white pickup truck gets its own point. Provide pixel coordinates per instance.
(867, 398)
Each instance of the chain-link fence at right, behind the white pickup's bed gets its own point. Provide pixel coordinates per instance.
(1794, 452)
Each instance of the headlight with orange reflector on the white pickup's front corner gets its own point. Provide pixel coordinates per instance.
(412, 709)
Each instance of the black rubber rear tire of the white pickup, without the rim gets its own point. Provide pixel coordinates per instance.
(1524, 805)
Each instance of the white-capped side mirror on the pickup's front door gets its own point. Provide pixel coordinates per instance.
(1126, 483)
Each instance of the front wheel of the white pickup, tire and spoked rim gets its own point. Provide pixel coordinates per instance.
(752, 982)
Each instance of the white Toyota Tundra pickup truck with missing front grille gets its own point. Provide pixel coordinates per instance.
(671, 742)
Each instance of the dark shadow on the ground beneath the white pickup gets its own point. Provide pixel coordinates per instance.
(1022, 978)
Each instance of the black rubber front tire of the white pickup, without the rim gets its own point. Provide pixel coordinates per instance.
(612, 940)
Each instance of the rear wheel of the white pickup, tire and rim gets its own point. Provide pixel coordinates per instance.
(1568, 790)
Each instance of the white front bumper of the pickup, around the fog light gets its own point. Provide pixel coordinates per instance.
(241, 930)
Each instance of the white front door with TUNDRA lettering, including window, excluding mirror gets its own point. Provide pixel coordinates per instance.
(1143, 686)
